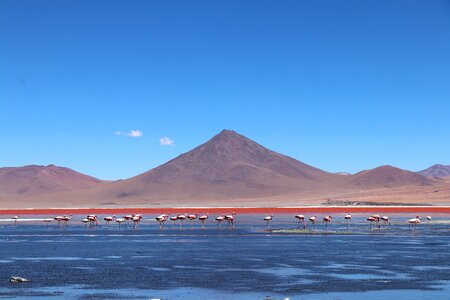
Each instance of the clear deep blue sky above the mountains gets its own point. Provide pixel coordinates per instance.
(340, 85)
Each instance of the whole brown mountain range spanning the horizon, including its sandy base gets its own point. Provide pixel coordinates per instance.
(227, 170)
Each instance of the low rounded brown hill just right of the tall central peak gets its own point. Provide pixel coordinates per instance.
(388, 177)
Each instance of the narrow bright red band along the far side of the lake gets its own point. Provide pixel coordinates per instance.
(218, 210)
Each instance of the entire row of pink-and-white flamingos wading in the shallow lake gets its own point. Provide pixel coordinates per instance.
(375, 221)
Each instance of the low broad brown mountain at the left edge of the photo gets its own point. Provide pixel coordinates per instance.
(36, 180)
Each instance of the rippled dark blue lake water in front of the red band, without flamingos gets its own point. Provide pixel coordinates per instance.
(245, 262)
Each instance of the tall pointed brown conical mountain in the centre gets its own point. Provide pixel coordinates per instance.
(227, 166)
